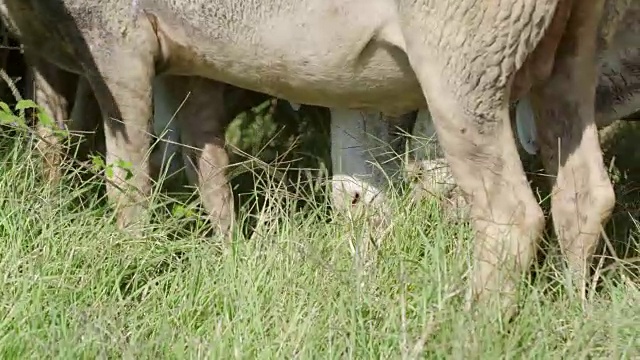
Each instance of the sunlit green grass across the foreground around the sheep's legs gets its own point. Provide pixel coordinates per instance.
(73, 286)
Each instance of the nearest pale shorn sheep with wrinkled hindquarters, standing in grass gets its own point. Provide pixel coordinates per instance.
(467, 59)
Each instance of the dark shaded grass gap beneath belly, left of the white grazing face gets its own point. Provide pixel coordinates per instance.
(282, 146)
